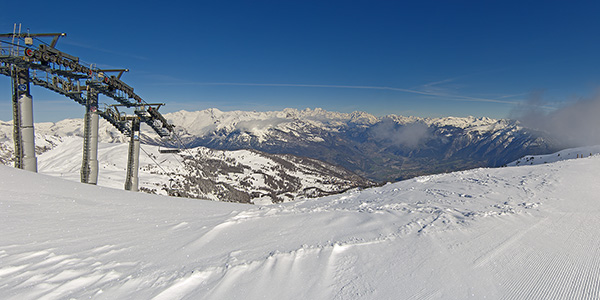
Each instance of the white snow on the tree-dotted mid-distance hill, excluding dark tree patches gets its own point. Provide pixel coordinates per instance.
(157, 169)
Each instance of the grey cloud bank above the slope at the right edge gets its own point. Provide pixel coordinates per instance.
(575, 124)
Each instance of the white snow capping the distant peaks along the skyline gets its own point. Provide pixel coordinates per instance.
(191, 125)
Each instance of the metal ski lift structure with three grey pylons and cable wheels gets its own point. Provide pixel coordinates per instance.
(66, 75)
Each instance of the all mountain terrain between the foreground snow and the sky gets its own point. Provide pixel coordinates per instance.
(282, 155)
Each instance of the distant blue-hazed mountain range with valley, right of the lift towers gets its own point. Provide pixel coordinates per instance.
(382, 149)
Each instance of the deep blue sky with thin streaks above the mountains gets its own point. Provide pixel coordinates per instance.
(422, 58)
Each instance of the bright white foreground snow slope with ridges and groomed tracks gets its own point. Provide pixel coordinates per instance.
(513, 233)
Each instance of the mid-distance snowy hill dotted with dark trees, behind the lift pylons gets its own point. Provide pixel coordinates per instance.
(245, 176)
